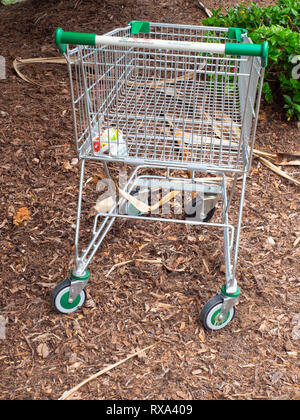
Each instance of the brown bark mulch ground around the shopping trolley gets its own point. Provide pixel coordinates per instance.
(140, 303)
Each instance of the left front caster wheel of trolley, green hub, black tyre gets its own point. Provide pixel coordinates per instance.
(60, 296)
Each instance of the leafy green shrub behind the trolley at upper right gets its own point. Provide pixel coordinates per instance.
(279, 26)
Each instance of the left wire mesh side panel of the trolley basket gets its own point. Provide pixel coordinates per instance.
(96, 77)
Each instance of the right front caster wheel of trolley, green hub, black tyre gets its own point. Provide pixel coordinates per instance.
(210, 314)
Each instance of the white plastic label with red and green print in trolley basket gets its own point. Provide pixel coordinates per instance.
(110, 140)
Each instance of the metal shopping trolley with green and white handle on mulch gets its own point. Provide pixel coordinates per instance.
(173, 102)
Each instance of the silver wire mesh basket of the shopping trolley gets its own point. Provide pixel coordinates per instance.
(172, 107)
